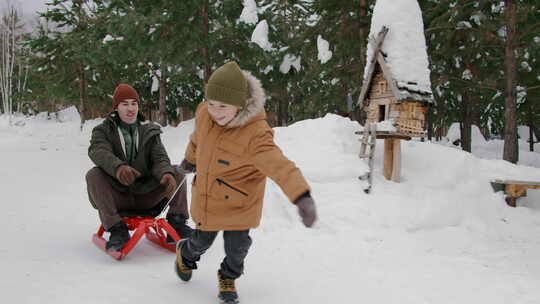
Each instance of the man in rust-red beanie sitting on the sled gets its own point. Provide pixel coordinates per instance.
(133, 172)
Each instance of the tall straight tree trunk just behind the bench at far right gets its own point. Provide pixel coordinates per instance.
(510, 115)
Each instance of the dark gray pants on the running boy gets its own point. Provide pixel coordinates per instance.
(237, 244)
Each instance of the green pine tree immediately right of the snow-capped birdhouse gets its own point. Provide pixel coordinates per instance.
(460, 35)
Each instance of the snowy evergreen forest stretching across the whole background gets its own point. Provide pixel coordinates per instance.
(484, 59)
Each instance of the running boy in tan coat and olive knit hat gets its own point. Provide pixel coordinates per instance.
(232, 151)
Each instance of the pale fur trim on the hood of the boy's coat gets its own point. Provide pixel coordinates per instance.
(254, 105)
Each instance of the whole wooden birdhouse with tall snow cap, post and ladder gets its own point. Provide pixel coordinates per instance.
(396, 90)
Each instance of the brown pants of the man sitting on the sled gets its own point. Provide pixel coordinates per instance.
(110, 202)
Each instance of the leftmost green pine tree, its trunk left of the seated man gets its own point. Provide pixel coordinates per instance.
(67, 54)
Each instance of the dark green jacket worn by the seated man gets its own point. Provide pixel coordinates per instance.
(151, 161)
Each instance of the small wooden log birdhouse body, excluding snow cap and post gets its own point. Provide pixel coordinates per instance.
(385, 98)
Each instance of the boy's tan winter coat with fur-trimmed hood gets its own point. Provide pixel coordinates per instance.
(232, 165)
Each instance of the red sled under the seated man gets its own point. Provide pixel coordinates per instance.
(155, 229)
